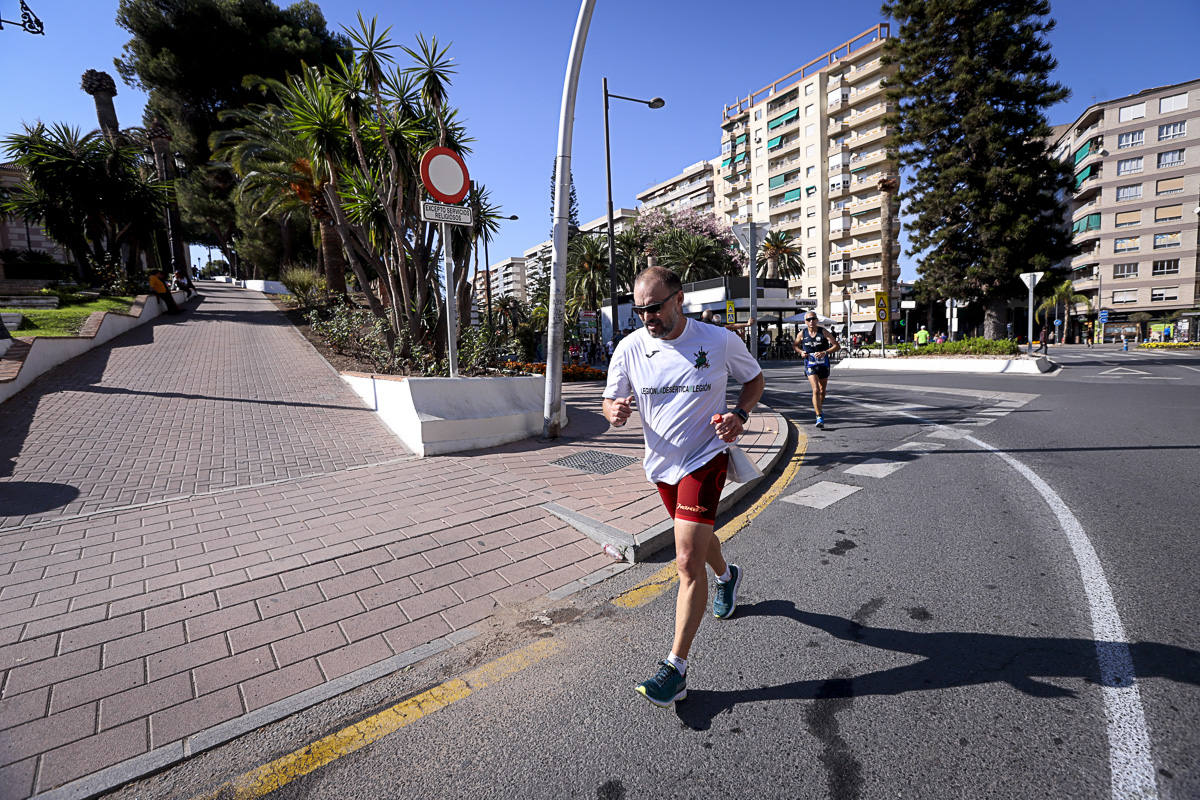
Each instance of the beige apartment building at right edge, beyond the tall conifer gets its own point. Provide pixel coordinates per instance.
(1135, 210)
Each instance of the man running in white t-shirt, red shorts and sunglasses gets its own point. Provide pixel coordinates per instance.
(677, 370)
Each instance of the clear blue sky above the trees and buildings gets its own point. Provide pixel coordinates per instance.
(698, 55)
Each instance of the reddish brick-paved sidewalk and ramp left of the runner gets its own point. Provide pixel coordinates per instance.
(303, 551)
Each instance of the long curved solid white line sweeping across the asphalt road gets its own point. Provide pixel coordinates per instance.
(1131, 763)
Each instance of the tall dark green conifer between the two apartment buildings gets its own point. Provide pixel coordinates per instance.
(973, 87)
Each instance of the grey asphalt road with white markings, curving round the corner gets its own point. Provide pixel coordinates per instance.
(919, 621)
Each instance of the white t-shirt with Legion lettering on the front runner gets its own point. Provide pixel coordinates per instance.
(680, 384)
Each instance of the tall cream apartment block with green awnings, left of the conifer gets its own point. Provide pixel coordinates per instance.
(807, 154)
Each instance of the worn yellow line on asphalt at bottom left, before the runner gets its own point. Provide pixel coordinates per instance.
(284, 771)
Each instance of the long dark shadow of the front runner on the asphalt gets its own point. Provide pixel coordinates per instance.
(950, 660)
